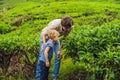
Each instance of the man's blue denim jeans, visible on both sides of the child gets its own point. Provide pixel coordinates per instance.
(56, 63)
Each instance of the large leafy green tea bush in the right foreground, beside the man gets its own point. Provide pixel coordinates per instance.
(97, 49)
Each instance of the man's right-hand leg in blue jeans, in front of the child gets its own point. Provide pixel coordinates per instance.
(57, 60)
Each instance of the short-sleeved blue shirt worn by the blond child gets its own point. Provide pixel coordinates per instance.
(50, 44)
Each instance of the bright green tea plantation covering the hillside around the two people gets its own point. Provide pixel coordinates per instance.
(91, 51)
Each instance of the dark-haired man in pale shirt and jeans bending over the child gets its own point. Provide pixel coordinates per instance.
(63, 26)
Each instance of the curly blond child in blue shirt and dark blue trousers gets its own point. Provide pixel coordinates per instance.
(46, 55)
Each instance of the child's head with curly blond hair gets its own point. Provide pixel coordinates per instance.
(53, 35)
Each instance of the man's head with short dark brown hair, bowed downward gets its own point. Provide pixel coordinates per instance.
(67, 23)
